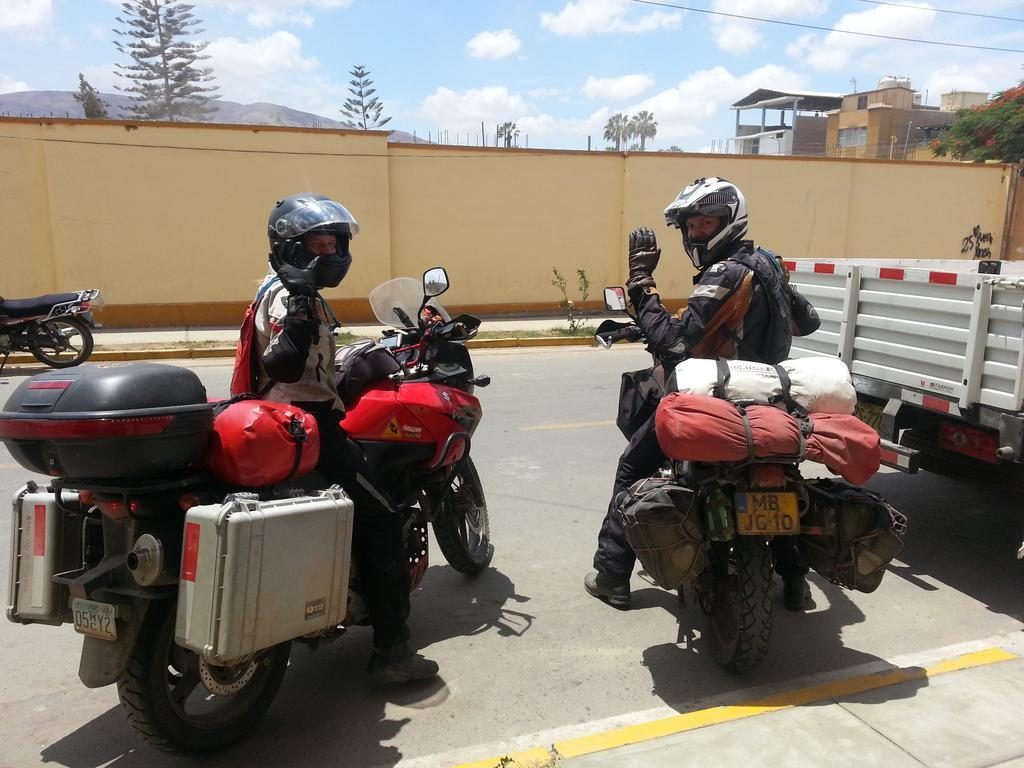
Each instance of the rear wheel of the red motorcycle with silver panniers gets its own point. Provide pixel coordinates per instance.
(180, 704)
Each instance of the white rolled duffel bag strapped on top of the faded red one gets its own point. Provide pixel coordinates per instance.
(819, 385)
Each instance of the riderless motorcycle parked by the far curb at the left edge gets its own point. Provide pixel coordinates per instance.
(56, 329)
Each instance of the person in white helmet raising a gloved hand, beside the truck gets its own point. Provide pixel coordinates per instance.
(742, 308)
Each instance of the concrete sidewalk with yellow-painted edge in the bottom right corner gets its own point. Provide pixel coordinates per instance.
(966, 709)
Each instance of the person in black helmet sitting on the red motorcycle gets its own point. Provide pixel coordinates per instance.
(310, 251)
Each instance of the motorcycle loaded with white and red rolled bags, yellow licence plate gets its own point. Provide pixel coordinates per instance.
(735, 435)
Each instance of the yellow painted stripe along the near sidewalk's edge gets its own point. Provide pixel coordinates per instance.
(631, 735)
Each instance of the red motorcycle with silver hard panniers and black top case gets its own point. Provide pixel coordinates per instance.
(188, 541)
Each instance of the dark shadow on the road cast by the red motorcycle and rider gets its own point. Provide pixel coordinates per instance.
(329, 711)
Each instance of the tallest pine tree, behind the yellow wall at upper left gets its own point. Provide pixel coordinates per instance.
(167, 81)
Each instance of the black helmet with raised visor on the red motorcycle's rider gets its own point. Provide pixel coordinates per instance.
(307, 214)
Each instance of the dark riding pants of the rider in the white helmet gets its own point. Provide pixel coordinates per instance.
(643, 458)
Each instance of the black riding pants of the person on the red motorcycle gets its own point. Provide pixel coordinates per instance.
(378, 541)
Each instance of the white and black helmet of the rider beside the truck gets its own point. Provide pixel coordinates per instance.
(710, 197)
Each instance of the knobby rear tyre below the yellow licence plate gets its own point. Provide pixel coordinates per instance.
(735, 592)
